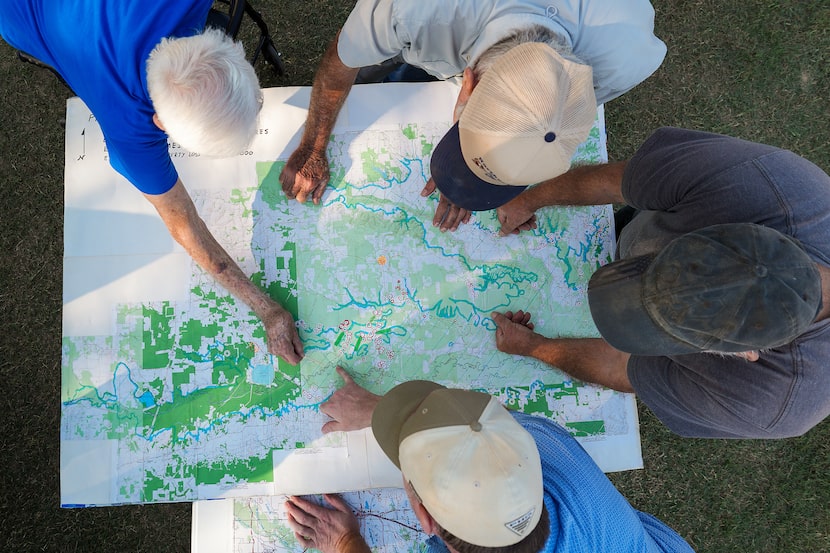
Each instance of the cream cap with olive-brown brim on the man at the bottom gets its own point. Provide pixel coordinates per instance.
(474, 468)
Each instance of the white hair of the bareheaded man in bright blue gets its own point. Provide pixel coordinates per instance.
(205, 92)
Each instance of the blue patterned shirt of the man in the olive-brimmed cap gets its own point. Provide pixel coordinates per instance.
(586, 511)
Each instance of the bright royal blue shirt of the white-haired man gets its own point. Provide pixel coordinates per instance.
(100, 49)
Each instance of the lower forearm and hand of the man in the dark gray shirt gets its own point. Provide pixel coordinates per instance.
(587, 359)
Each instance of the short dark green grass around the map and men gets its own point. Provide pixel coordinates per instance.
(756, 69)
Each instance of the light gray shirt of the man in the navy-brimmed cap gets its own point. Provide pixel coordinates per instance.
(615, 37)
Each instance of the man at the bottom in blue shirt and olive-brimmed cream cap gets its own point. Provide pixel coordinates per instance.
(480, 479)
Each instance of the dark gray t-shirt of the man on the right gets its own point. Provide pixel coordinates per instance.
(683, 180)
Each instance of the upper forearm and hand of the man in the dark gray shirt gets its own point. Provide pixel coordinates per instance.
(586, 185)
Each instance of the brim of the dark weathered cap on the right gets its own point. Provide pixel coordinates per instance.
(615, 296)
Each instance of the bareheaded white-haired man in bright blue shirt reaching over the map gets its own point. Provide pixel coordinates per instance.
(144, 68)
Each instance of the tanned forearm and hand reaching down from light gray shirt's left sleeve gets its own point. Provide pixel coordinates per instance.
(307, 170)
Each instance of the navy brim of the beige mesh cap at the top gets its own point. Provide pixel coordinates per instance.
(459, 184)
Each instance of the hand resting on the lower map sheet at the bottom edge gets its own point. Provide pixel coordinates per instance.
(330, 530)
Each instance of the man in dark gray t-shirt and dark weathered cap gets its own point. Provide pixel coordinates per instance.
(716, 311)
